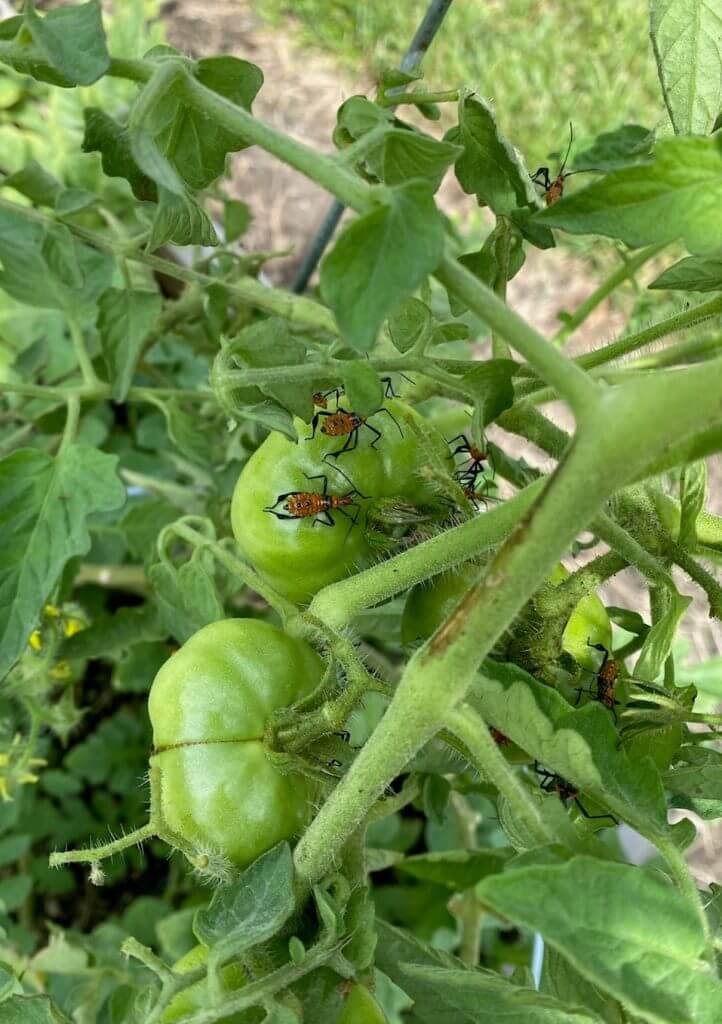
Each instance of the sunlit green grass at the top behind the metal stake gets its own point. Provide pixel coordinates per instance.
(543, 64)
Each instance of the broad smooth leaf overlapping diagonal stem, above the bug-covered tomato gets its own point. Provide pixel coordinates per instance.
(380, 260)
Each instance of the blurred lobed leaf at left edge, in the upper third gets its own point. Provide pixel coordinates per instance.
(48, 268)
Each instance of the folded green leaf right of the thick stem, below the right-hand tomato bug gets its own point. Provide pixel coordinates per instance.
(581, 746)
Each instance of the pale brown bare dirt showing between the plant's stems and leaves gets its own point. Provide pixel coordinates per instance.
(303, 95)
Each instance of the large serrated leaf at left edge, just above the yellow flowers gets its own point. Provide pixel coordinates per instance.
(45, 505)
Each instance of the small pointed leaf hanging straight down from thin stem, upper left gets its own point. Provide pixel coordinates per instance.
(125, 320)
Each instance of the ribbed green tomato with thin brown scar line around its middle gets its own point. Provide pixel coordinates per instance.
(209, 705)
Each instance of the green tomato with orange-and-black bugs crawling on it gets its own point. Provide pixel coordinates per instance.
(300, 557)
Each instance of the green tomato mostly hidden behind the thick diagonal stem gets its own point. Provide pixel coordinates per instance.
(431, 604)
